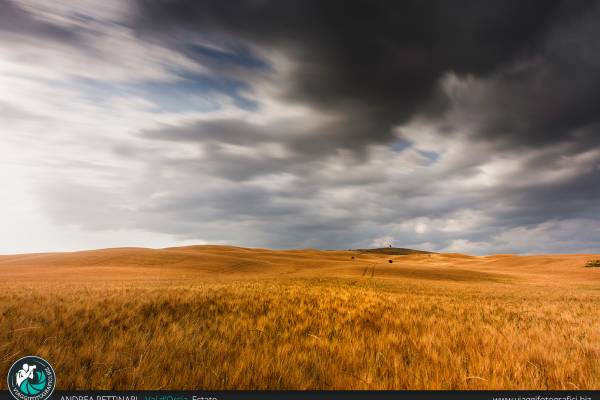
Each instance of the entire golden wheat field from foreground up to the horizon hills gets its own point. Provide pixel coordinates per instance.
(216, 317)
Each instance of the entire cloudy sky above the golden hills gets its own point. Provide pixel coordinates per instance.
(462, 126)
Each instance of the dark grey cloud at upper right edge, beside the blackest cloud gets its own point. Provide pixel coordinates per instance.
(552, 95)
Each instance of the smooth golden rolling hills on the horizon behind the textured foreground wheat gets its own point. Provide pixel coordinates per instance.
(211, 263)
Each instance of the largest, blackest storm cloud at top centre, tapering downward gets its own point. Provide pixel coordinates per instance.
(377, 63)
